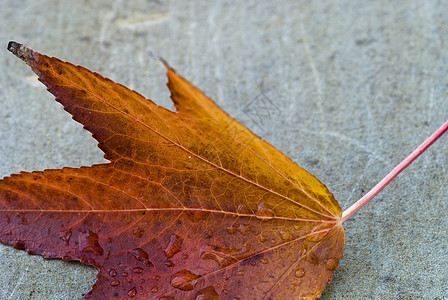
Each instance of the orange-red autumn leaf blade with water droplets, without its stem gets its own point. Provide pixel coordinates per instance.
(186, 208)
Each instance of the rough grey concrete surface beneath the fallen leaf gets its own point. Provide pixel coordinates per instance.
(358, 85)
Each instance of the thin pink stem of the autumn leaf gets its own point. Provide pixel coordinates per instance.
(394, 173)
